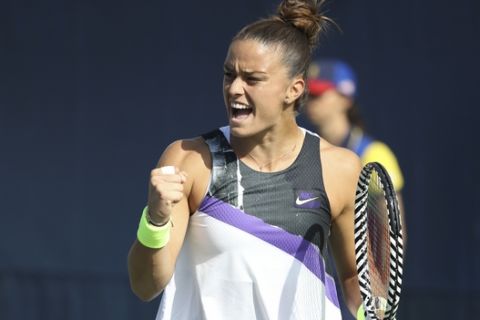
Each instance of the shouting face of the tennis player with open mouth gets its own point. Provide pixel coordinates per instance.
(255, 87)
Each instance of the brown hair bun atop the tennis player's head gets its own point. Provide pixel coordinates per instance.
(305, 16)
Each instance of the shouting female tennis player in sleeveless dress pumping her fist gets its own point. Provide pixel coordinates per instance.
(239, 219)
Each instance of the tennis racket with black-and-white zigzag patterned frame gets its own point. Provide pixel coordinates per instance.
(378, 243)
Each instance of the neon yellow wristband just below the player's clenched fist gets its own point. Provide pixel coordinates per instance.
(151, 236)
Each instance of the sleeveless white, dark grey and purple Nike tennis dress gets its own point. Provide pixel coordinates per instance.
(254, 249)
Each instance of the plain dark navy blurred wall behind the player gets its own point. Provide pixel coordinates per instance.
(91, 92)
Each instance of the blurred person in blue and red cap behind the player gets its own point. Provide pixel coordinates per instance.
(331, 107)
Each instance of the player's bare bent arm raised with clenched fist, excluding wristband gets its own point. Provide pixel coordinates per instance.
(171, 196)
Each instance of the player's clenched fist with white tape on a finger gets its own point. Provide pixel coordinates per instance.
(165, 190)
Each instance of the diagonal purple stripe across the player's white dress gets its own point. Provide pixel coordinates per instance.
(292, 244)
